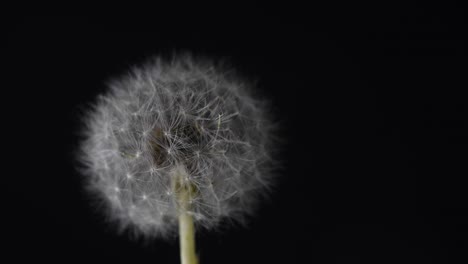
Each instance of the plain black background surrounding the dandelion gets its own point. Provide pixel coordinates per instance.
(373, 109)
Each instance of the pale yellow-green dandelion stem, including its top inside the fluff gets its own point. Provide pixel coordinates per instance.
(185, 192)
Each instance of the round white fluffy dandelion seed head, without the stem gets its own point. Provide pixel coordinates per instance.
(183, 115)
